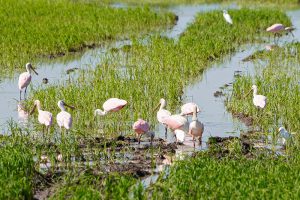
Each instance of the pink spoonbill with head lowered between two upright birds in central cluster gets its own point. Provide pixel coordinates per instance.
(178, 124)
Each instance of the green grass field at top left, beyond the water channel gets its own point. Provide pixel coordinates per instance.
(31, 29)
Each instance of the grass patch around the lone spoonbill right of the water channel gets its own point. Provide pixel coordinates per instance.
(279, 82)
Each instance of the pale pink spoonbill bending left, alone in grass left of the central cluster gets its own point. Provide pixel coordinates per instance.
(111, 105)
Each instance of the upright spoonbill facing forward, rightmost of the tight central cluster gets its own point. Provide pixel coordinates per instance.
(196, 127)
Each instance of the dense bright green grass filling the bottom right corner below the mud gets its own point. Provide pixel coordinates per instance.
(206, 177)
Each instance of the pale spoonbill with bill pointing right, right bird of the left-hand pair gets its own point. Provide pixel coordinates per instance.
(63, 118)
